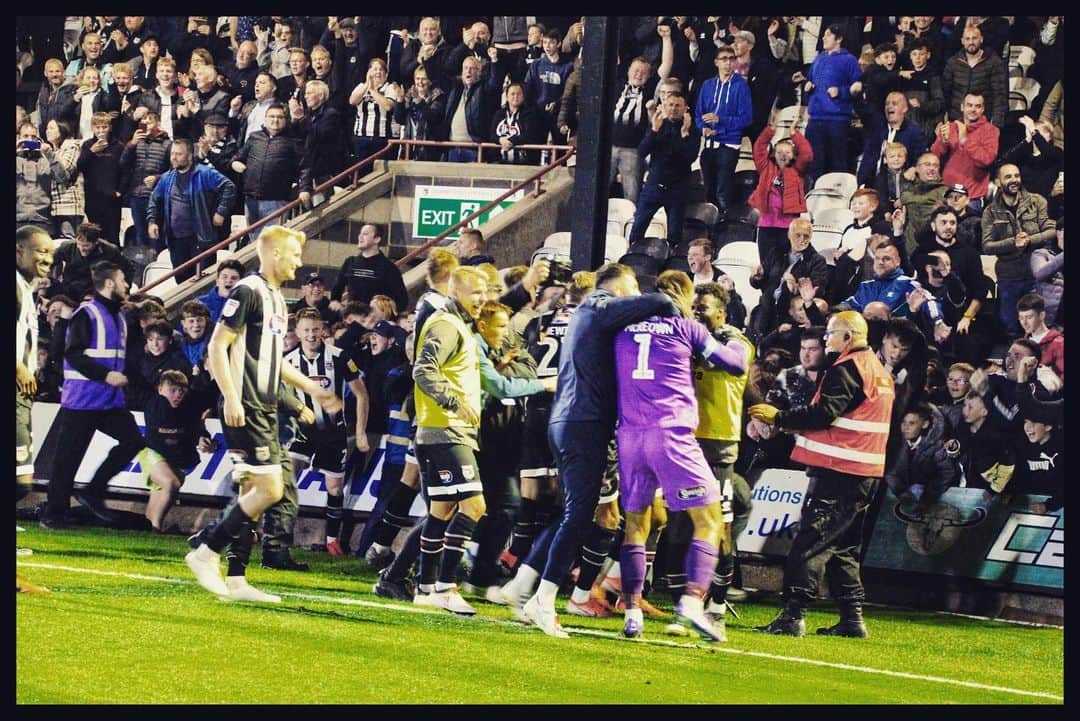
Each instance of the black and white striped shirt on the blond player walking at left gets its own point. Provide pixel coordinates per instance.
(259, 315)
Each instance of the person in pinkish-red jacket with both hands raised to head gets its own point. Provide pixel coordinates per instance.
(780, 196)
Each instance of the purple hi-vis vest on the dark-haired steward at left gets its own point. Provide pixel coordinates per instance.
(109, 339)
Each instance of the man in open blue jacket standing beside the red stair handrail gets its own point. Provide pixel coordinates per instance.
(188, 206)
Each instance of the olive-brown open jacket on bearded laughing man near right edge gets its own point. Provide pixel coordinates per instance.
(1001, 226)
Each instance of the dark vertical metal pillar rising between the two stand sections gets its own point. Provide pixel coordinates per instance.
(589, 224)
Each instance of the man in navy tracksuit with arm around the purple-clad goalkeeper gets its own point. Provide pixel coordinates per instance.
(583, 419)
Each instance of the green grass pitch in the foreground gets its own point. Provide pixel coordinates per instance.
(114, 640)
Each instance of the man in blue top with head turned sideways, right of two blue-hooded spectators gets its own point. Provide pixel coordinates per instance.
(833, 81)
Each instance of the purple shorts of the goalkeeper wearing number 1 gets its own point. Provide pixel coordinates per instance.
(667, 458)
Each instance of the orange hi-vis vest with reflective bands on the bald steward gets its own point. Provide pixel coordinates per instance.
(855, 444)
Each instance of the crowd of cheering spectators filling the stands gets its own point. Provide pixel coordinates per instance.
(954, 252)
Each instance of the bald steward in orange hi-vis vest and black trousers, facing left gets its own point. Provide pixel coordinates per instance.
(842, 439)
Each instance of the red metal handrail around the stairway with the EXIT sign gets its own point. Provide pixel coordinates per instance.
(355, 171)
